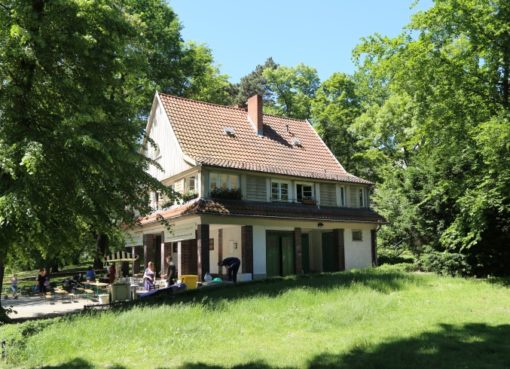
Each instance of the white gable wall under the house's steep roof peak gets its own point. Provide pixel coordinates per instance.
(171, 159)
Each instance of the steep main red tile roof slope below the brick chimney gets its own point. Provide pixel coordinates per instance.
(199, 128)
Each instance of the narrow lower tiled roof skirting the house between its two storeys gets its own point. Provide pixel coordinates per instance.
(239, 208)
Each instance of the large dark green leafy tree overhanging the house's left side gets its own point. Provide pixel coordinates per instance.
(71, 100)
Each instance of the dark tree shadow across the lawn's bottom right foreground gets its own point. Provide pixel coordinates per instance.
(477, 346)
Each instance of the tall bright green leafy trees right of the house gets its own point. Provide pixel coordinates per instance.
(430, 98)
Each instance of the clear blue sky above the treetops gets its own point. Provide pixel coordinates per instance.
(320, 33)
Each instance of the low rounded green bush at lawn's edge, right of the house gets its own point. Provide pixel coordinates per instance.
(445, 263)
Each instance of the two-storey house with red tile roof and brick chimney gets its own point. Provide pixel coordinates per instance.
(262, 188)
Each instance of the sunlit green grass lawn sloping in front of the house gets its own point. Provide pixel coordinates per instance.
(360, 319)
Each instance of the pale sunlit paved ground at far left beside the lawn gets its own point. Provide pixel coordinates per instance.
(37, 306)
